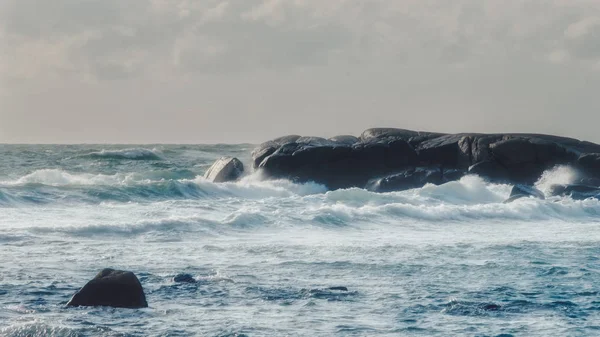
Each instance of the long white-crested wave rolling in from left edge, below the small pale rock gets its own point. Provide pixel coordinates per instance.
(52, 185)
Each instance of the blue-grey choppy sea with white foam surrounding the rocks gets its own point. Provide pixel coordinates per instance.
(444, 260)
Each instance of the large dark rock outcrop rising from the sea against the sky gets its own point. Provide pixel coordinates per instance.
(387, 153)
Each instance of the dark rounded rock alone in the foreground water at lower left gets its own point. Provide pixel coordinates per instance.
(111, 288)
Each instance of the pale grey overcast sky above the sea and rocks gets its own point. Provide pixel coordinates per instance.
(213, 71)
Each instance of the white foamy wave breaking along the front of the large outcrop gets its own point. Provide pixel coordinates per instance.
(468, 199)
